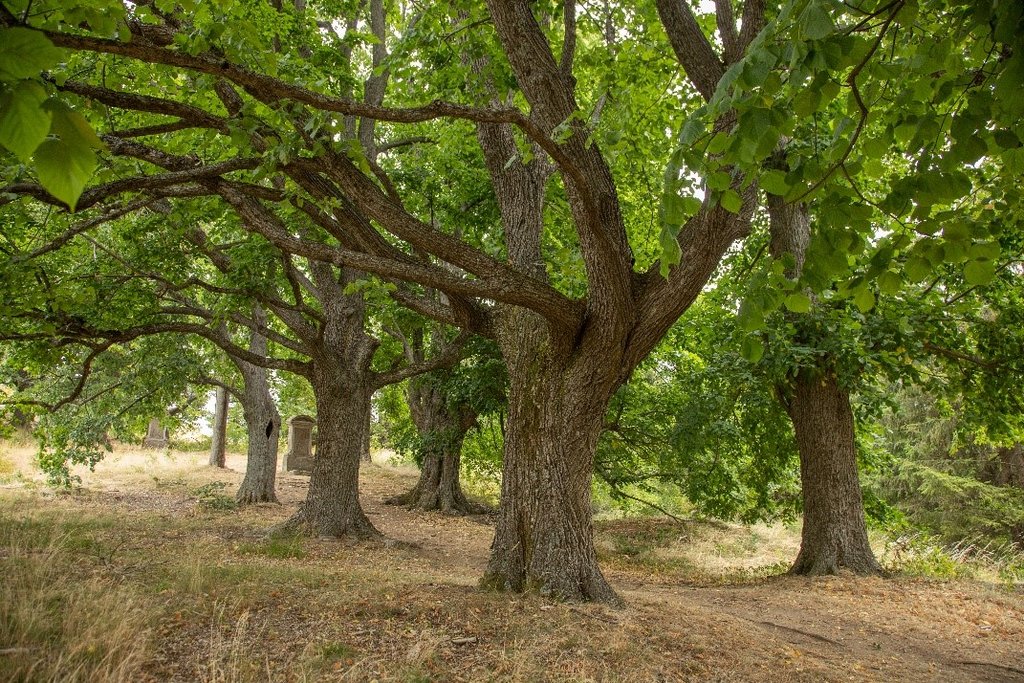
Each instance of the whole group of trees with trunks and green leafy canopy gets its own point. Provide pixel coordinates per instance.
(359, 192)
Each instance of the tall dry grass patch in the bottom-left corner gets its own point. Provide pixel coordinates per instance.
(59, 623)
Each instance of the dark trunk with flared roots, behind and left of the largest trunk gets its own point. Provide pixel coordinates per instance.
(443, 431)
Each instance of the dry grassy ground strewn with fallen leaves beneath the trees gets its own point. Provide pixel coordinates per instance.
(146, 573)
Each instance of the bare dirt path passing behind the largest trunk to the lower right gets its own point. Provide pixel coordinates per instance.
(848, 628)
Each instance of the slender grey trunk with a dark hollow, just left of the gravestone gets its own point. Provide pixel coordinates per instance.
(264, 429)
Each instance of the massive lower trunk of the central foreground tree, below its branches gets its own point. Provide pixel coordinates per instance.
(544, 538)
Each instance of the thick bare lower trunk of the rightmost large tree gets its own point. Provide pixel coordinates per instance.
(835, 535)
